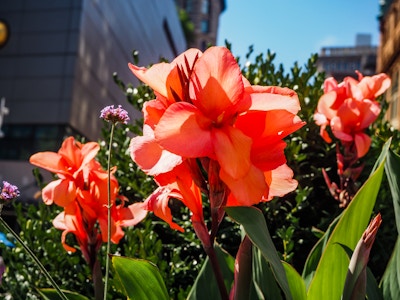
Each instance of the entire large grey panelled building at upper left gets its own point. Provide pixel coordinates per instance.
(57, 60)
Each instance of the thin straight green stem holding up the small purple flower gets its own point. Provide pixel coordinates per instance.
(109, 213)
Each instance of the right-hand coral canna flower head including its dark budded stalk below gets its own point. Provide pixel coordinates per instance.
(349, 108)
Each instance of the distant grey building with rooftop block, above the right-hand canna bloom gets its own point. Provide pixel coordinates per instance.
(340, 62)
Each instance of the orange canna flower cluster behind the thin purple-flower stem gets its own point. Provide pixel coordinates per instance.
(81, 189)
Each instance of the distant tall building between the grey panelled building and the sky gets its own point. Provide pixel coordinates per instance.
(204, 14)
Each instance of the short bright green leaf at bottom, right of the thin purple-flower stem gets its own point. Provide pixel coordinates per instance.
(140, 279)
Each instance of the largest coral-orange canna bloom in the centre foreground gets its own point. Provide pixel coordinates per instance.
(210, 131)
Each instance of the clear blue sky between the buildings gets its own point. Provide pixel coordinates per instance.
(294, 29)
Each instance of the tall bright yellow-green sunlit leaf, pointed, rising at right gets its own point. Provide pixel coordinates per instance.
(329, 277)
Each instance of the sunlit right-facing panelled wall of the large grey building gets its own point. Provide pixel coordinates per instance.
(106, 48)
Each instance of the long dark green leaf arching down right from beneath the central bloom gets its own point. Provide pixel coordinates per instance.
(254, 224)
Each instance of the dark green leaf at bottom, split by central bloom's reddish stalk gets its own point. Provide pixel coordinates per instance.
(205, 285)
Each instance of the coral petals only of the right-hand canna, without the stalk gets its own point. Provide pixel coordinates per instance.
(349, 108)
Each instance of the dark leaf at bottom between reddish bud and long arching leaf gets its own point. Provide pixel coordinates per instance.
(265, 285)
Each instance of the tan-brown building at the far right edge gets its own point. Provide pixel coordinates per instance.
(389, 55)
